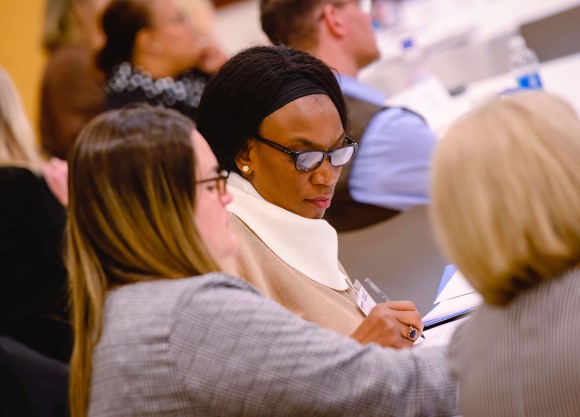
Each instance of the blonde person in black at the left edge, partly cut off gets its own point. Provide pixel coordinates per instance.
(33, 299)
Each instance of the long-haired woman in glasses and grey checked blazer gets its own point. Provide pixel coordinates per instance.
(160, 332)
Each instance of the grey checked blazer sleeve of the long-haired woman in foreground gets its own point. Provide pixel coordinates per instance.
(255, 358)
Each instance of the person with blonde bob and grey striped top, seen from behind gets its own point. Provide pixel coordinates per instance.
(506, 208)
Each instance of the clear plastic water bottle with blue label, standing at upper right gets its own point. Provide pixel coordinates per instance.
(524, 64)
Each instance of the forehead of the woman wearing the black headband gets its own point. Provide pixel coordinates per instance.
(294, 123)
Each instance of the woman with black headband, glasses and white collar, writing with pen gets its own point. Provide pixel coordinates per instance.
(276, 118)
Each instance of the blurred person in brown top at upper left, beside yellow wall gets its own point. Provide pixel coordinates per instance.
(72, 86)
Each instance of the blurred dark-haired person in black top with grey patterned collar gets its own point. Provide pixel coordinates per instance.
(153, 53)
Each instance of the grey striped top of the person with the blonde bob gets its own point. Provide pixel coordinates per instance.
(522, 360)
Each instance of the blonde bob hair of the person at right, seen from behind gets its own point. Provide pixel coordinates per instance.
(506, 193)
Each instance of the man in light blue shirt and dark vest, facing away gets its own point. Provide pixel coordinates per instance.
(390, 172)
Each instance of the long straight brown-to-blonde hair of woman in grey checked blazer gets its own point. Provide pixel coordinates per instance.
(131, 218)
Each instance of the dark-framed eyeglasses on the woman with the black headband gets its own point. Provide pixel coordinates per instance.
(305, 161)
